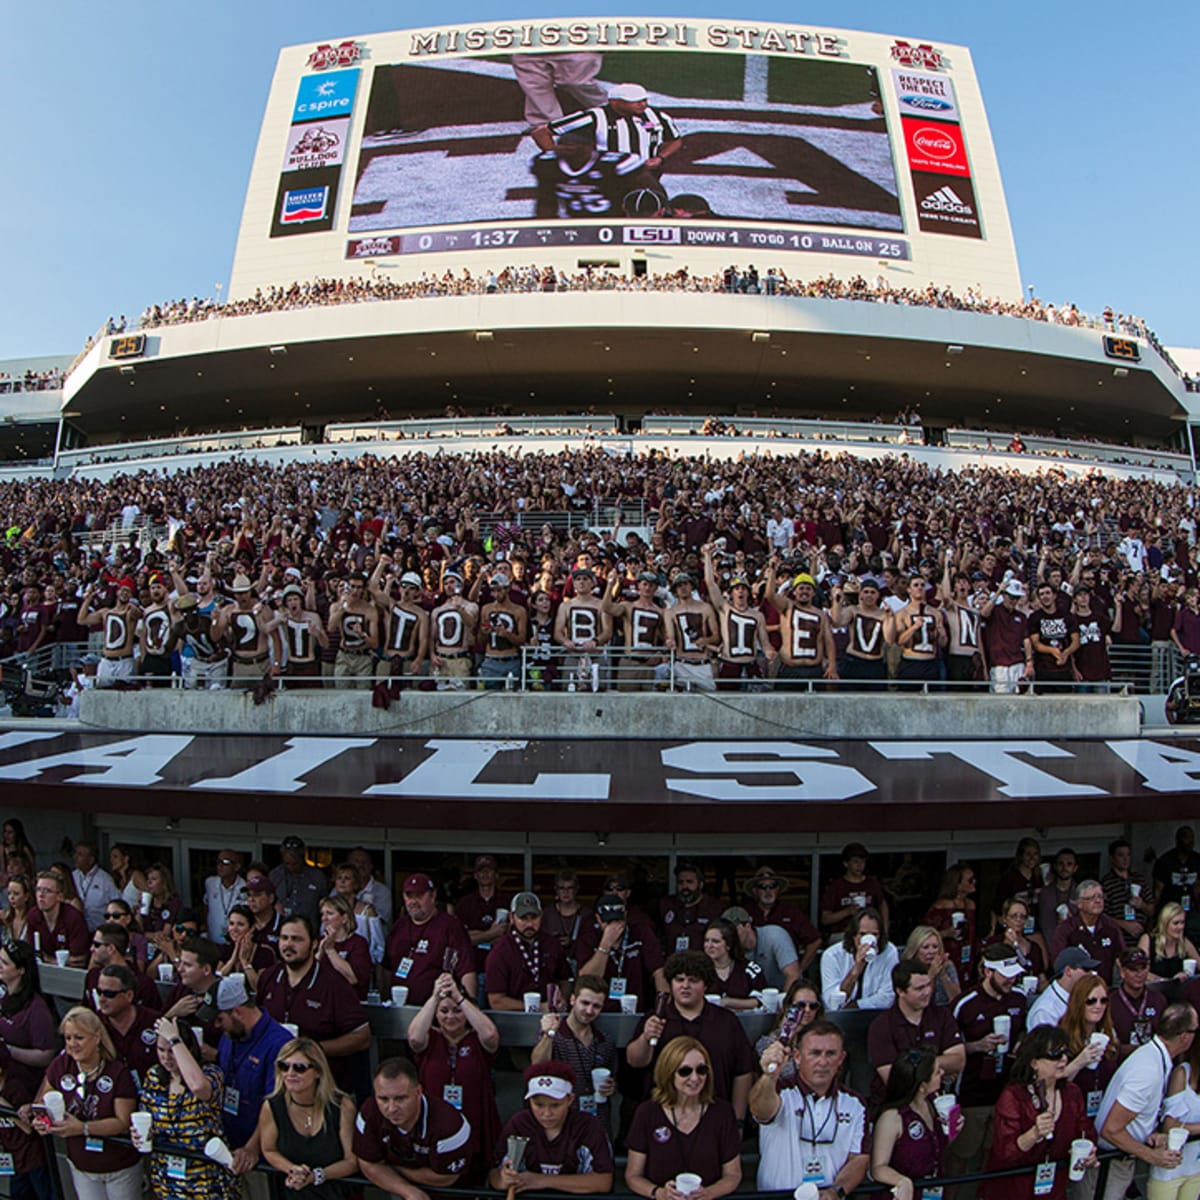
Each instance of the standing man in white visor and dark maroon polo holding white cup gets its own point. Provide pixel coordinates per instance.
(989, 1055)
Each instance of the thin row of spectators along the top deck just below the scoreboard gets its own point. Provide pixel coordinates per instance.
(535, 278)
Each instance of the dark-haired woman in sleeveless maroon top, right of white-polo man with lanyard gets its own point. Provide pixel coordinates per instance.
(909, 1142)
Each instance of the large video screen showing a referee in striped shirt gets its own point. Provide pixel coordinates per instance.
(746, 137)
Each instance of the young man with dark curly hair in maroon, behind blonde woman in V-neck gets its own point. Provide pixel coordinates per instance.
(688, 1015)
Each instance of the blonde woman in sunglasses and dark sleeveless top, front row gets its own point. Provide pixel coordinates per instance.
(307, 1125)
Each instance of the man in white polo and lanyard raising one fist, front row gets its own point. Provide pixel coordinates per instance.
(814, 1132)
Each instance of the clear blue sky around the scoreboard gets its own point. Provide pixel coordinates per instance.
(131, 129)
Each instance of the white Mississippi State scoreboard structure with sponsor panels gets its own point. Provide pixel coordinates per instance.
(814, 149)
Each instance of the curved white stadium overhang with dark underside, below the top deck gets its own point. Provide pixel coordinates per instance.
(628, 353)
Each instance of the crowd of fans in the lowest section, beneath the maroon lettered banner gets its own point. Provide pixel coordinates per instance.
(1029, 1033)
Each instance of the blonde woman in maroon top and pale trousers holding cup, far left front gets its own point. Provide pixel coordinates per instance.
(100, 1095)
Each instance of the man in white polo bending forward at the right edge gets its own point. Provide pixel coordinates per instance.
(1133, 1102)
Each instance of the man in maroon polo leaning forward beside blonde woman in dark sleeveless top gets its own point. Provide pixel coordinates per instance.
(407, 1143)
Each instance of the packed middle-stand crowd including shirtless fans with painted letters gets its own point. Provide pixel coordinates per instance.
(767, 572)
